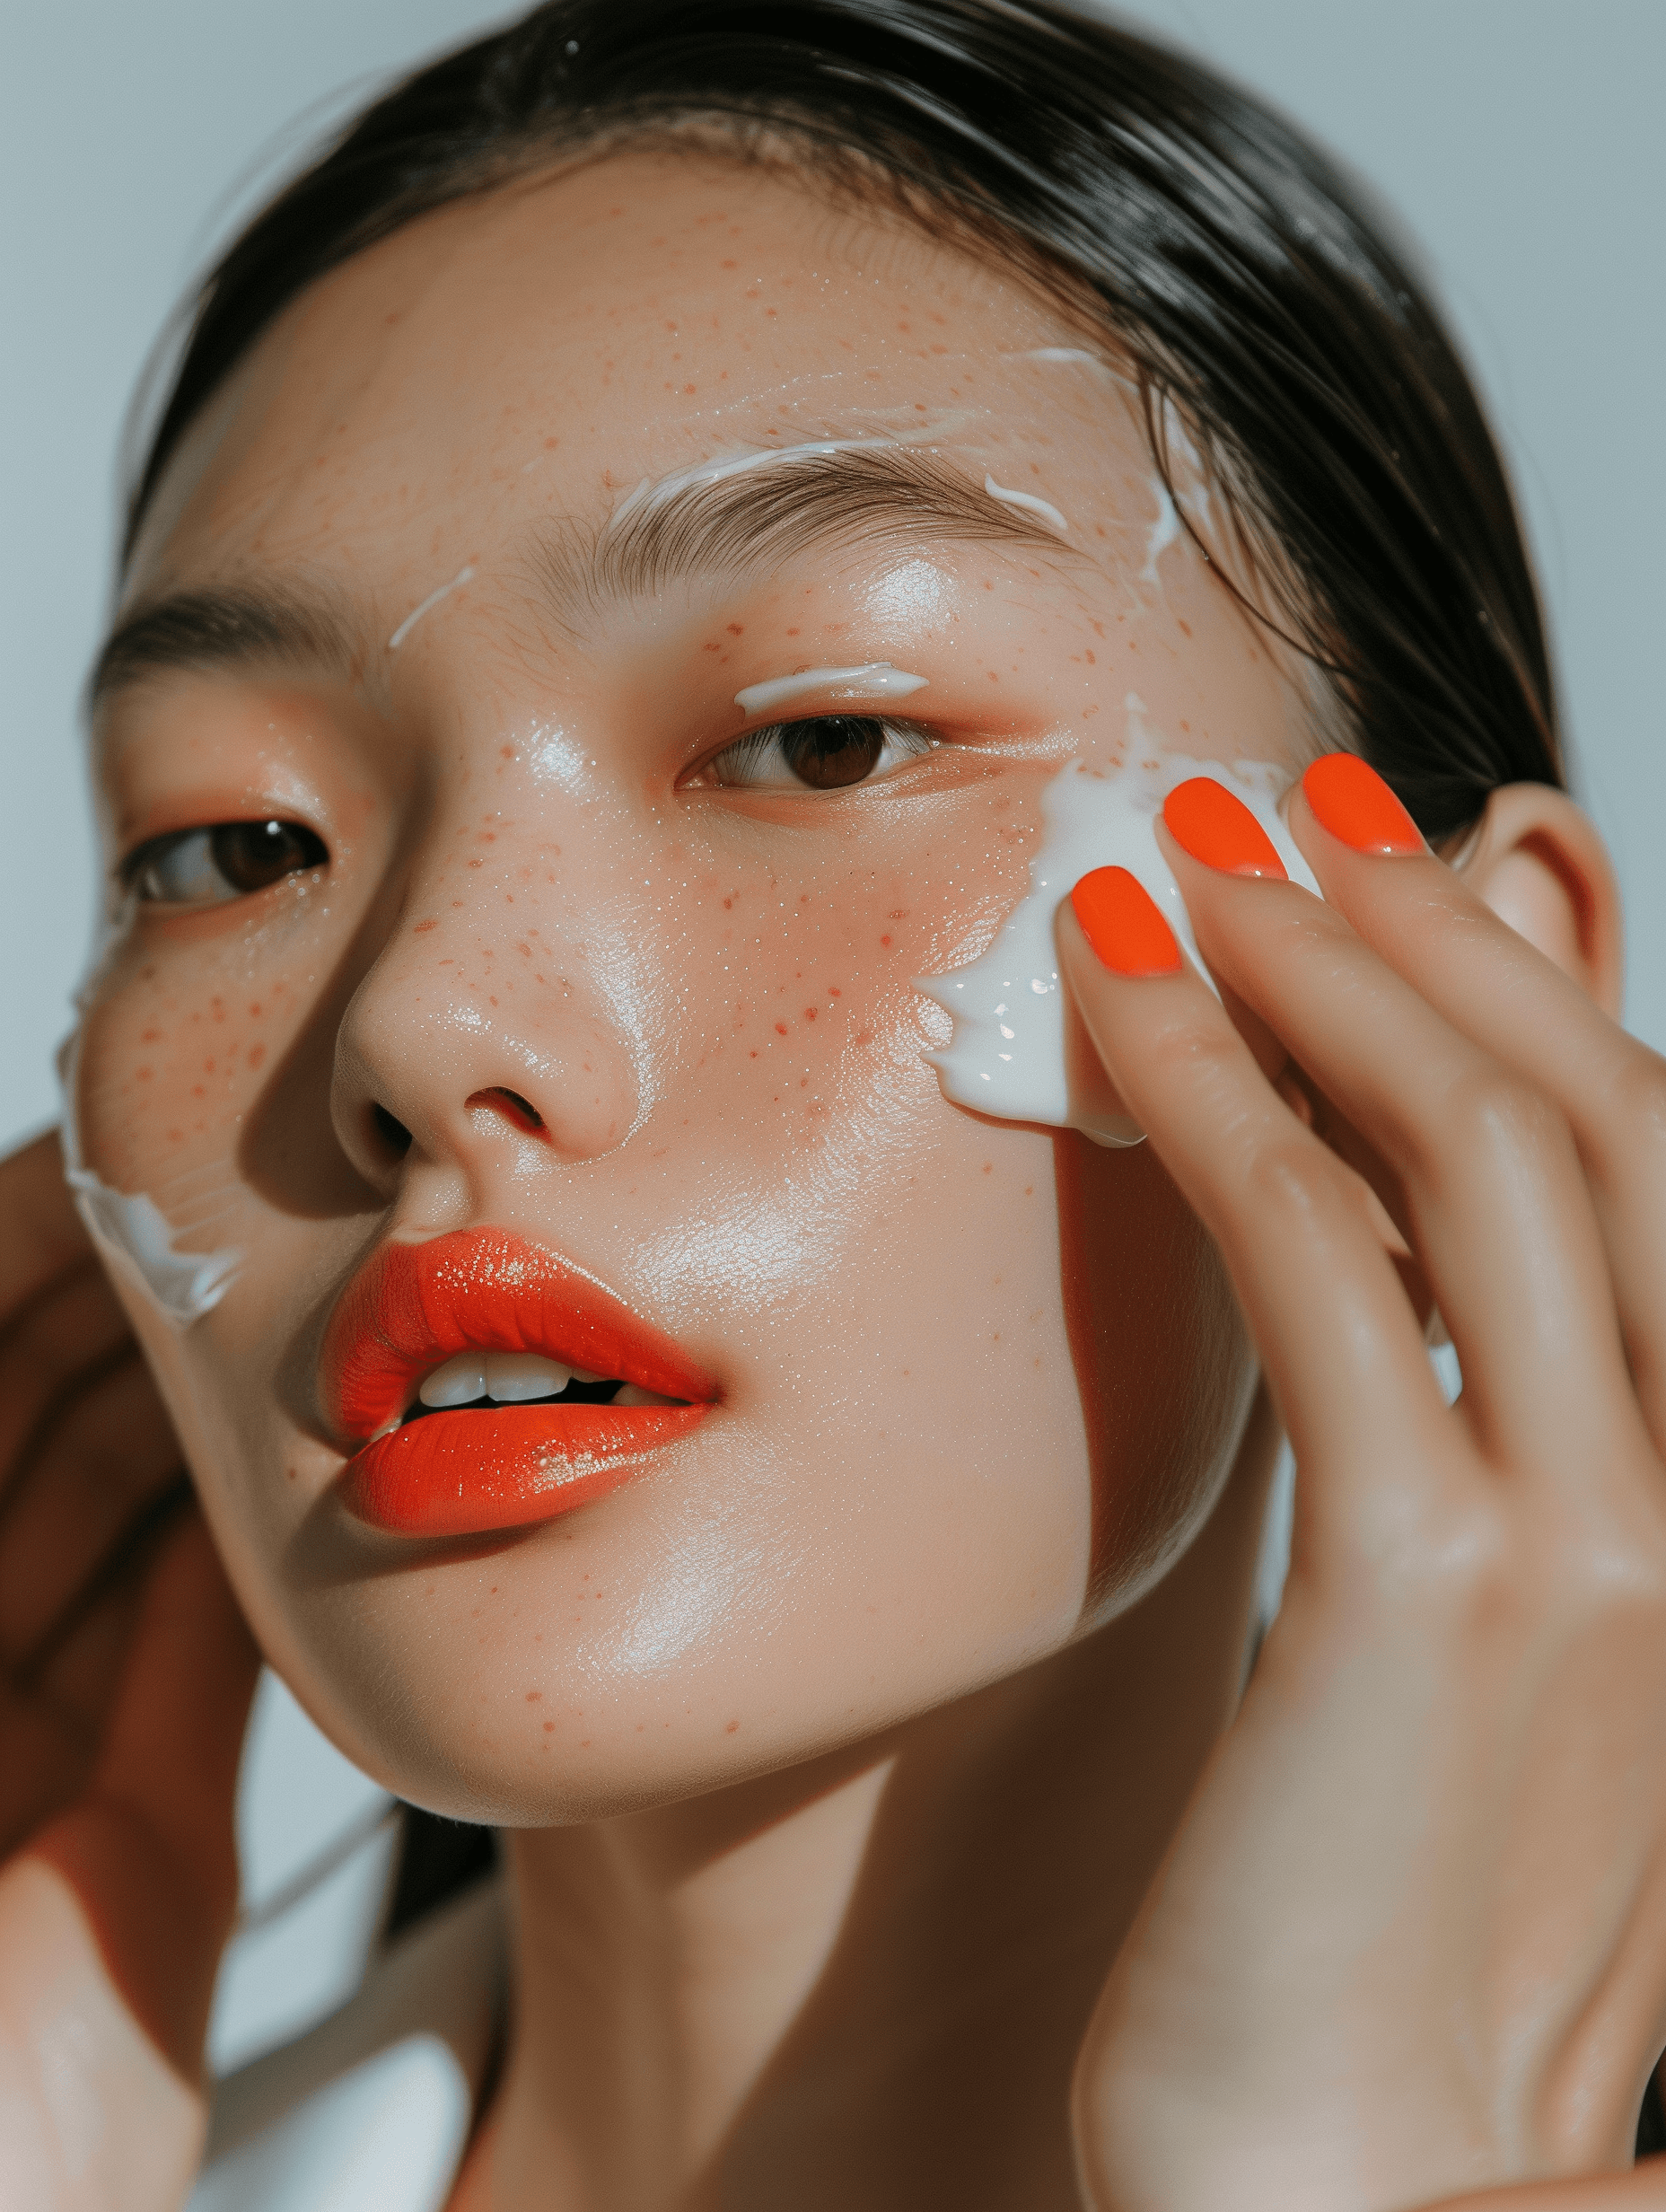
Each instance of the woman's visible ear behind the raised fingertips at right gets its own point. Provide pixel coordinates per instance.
(1541, 866)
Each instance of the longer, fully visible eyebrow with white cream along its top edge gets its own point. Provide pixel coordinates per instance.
(753, 521)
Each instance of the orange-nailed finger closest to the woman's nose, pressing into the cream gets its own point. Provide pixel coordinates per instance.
(1335, 1333)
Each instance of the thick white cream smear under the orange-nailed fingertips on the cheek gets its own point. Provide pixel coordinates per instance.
(1010, 1054)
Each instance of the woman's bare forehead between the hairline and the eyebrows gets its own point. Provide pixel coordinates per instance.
(554, 346)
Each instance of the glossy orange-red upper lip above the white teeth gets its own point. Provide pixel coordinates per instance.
(413, 1306)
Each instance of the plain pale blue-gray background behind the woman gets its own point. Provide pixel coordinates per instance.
(1519, 140)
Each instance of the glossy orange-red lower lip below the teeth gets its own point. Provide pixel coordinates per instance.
(464, 1474)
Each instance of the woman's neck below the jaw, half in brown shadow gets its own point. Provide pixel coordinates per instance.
(864, 1983)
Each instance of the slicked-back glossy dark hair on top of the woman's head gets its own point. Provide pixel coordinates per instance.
(1240, 271)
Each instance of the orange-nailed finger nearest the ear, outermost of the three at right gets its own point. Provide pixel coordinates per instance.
(1499, 990)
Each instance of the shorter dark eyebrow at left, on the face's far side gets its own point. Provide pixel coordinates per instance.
(220, 629)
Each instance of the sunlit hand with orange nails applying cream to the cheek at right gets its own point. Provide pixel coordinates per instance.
(1410, 1939)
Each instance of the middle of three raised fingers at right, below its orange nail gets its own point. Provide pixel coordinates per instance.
(1499, 1209)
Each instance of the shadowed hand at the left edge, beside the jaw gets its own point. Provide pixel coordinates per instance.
(127, 1684)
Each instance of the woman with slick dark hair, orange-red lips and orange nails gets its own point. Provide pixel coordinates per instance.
(634, 541)
